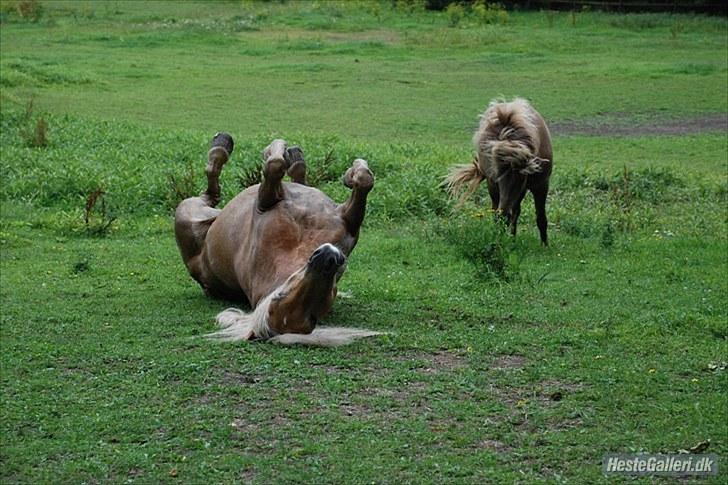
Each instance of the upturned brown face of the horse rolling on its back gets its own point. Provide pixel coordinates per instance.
(308, 294)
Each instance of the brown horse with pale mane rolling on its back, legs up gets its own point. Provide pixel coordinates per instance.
(280, 246)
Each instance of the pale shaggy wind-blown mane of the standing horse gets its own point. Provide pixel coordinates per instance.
(507, 138)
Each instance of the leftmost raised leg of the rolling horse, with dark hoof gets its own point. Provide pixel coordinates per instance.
(194, 216)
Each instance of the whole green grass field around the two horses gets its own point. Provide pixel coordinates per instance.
(506, 362)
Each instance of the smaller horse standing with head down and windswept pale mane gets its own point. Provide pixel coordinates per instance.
(513, 155)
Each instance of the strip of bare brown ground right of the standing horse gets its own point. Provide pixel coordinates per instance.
(622, 124)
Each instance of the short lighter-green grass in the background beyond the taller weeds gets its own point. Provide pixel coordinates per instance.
(322, 67)
